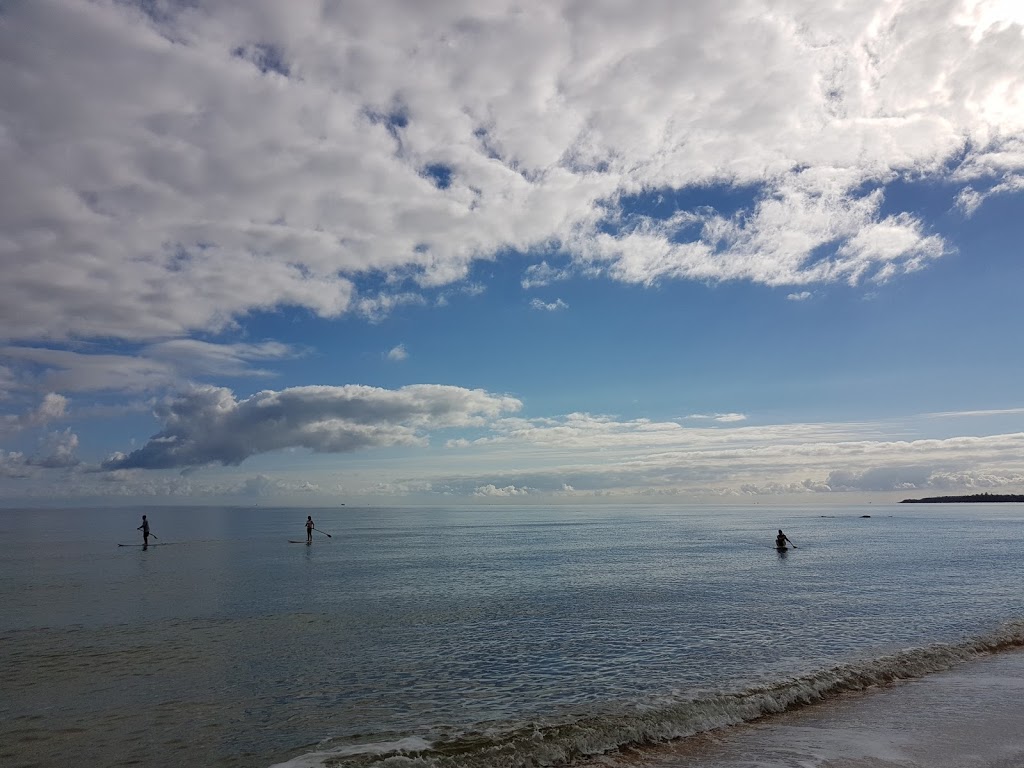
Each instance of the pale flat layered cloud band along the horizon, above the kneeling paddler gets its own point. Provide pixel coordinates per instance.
(601, 454)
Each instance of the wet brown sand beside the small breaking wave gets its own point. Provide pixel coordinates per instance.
(969, 717)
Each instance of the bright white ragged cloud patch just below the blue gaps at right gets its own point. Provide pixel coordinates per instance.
(777, 244)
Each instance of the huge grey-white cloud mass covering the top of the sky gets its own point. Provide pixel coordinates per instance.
(294, 153)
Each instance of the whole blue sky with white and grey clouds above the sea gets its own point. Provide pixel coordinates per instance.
(554, 252)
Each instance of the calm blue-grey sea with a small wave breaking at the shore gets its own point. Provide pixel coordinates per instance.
(474, 637)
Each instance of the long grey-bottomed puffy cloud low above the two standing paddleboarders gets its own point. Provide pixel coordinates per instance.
(208, 425)
